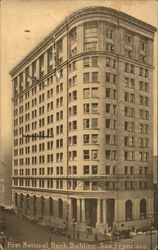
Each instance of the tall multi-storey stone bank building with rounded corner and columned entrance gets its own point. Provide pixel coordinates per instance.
(83, 123)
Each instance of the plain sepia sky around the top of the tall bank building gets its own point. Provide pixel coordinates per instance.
(41, 17)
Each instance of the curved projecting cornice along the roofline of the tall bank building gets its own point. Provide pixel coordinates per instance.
(74, 17)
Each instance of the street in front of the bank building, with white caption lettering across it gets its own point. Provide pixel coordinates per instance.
(24, 234)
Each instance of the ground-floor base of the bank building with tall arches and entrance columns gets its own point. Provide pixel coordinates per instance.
(87, 214)
